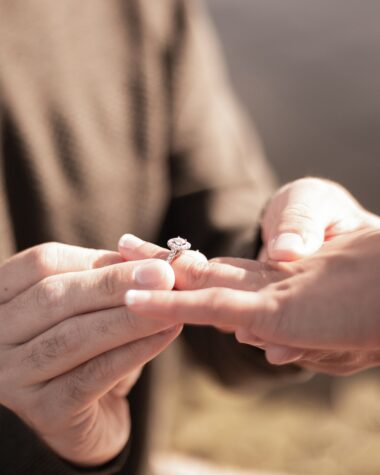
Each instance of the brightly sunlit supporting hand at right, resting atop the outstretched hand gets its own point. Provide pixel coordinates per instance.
(304, 214)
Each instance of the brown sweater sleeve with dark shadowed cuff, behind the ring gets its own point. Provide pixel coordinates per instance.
(220, 181)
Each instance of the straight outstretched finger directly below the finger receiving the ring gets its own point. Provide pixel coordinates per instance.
(216, 306)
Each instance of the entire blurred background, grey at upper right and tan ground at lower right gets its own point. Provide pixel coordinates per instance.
(309, 74)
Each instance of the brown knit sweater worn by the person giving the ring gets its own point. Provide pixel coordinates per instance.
(115, 117)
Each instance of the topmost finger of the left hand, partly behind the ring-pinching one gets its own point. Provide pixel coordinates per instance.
(29, 267)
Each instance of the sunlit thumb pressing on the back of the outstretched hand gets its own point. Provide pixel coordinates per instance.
(296, 219)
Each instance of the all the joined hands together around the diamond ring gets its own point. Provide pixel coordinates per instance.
(72, 350)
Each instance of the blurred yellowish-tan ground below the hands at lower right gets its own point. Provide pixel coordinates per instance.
(324, 427)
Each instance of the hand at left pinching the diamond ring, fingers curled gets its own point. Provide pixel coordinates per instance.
(69, 349)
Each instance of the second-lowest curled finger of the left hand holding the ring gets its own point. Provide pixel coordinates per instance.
(79, 339)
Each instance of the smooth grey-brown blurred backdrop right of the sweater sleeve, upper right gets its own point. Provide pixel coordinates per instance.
(309, 73)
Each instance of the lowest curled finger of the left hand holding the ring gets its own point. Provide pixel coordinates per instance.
(96, 377)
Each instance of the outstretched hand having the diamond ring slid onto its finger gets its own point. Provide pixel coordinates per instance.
(322, 311)
